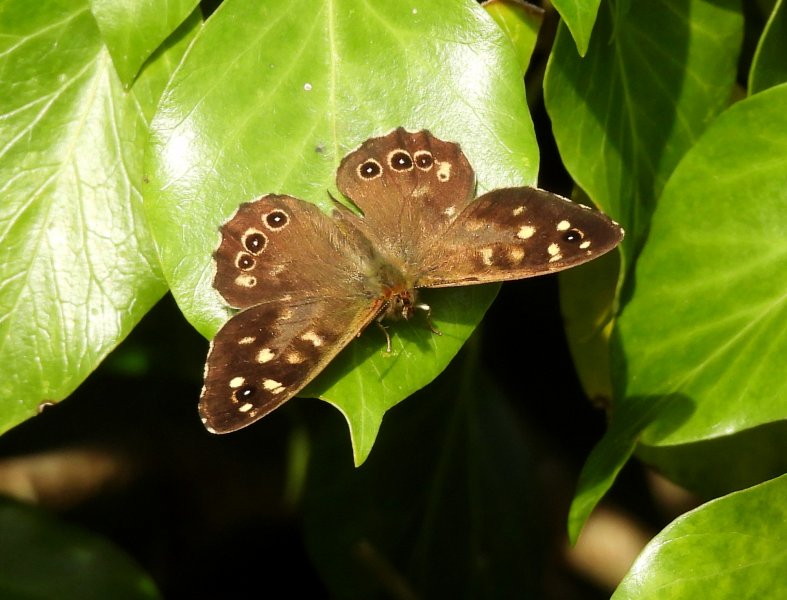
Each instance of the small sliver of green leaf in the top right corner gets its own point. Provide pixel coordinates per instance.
(769, 66)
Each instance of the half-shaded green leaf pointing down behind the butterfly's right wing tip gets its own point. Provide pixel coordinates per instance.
(654, 78)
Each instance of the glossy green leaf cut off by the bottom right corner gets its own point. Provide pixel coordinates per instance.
(732, 547)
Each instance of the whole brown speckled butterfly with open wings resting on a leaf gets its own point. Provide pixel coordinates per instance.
(307, 283)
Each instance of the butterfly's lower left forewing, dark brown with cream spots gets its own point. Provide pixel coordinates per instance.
(266, 354)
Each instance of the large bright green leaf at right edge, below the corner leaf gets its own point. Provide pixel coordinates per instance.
(707, 319)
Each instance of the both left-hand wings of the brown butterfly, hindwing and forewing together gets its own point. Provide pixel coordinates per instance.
(298, 275)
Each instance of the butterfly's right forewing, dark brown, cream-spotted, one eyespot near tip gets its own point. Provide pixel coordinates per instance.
(515, 233)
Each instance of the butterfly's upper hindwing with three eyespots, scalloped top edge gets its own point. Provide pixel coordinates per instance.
(410, 188)
